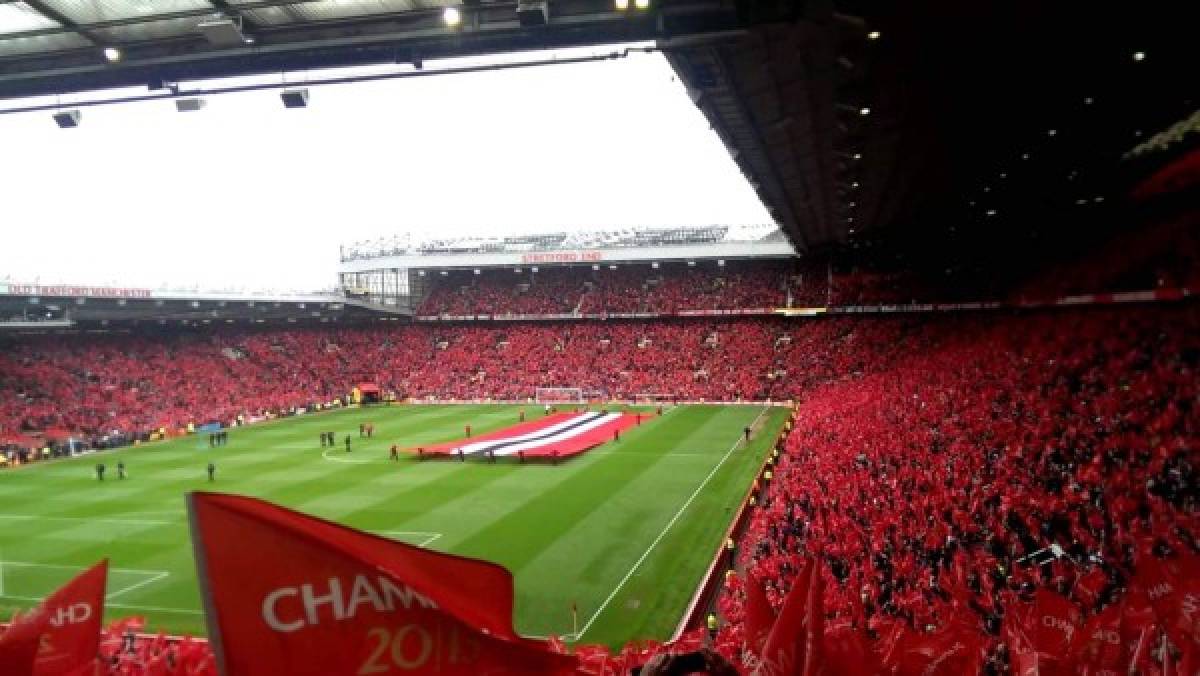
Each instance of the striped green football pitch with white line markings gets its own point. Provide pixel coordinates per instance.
(625, 531)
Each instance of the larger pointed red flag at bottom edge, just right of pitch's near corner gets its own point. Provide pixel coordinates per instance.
(794, 647)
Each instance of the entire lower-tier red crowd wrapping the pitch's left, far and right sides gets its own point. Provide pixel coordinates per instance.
(932, 465)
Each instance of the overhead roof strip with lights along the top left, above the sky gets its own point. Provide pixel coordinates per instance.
(57, 46)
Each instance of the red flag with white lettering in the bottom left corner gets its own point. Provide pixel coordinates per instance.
(63, 632)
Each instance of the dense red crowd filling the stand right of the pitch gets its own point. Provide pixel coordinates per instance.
(939, 480)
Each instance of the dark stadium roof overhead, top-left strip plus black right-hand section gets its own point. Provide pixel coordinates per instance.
(849, 117)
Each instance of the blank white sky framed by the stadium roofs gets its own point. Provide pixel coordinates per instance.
(249, 195)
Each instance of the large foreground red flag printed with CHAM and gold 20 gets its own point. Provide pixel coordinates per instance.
(290, 594)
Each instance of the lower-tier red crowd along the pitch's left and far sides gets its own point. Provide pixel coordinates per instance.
(97, 385)
